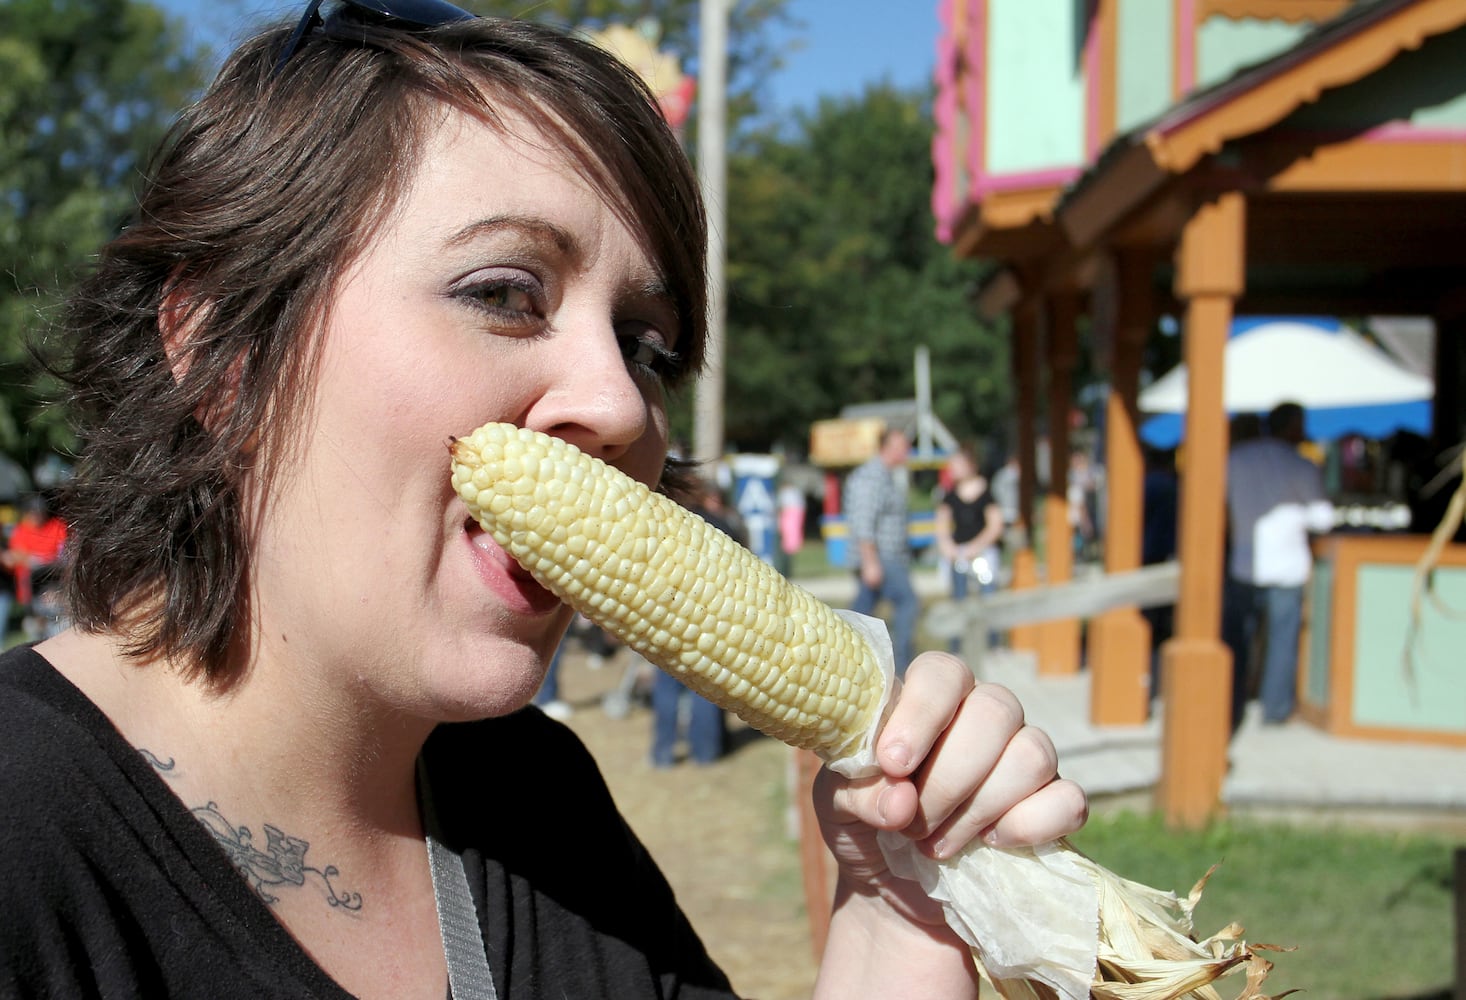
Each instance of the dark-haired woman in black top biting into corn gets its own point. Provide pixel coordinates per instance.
(298, 678)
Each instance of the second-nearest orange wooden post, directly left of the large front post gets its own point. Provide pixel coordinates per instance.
(1121, 640)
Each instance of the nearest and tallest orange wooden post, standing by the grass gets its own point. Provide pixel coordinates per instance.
(1197, 666)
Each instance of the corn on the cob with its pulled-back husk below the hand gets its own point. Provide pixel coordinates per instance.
(701, 606)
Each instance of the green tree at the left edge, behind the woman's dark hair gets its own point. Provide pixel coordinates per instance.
(90, 87)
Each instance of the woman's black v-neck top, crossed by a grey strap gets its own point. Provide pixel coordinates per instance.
(114, 889)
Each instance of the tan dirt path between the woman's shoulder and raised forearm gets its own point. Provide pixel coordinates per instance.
(723, 835)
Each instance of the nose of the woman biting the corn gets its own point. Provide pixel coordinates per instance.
(593, 401)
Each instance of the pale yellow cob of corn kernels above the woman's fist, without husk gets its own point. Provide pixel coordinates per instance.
(672, 587)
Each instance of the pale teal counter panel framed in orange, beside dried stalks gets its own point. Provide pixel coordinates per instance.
(1429, 694)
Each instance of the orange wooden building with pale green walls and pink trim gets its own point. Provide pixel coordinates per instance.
(1128, 161)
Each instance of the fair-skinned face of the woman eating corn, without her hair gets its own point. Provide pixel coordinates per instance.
(502, 290)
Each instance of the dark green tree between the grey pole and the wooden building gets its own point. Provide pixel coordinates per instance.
(835, 278)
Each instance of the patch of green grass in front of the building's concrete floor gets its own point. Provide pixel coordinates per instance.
(1371, 914)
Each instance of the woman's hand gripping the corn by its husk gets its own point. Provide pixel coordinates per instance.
(958, 765)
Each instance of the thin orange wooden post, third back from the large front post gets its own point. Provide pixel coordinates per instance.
(1059, 640)
